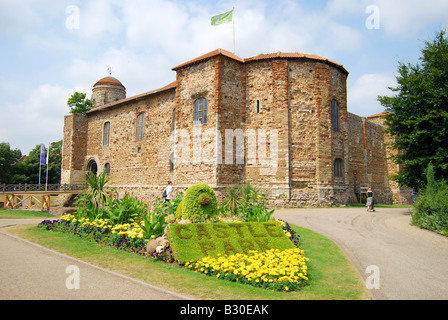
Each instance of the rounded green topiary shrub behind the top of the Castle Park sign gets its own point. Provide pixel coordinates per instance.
(192, 209)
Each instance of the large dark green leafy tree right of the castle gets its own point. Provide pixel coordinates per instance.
(417, 115)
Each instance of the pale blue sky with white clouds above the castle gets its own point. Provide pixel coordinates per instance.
(50, 49)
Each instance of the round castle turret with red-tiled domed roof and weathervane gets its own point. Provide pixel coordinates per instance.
(107, 90)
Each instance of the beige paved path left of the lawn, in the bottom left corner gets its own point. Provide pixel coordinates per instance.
(29, 271)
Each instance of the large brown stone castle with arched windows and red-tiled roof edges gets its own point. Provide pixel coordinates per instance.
(277, 120)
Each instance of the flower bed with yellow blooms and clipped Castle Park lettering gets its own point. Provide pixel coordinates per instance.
(261, 255)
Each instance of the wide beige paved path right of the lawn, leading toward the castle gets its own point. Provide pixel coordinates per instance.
(412, 263)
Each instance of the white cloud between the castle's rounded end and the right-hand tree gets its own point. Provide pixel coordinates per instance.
(362, 95)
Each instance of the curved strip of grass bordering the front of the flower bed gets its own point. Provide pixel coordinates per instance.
(332, 277)
